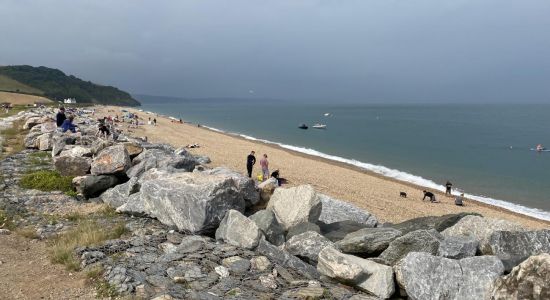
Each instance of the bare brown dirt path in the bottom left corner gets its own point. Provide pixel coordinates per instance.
(26, 273)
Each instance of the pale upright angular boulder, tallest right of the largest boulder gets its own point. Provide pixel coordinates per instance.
(296, 205)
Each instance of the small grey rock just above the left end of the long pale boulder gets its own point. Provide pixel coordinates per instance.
(307, 245)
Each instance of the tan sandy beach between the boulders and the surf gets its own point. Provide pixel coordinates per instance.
(372, 192)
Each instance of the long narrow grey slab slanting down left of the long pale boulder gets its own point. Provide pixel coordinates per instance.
(285, 259)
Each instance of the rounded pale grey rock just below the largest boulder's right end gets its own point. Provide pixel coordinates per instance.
(238, 230)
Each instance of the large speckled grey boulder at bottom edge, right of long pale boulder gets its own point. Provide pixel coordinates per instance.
(424, 276)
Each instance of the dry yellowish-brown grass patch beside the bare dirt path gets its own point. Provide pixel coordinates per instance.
(86, 233)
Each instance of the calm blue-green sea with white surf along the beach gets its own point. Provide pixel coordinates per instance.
(484, 150)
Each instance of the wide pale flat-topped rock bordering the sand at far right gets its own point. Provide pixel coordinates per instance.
(480, 228)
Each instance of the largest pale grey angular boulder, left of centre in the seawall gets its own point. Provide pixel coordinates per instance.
(193, 202)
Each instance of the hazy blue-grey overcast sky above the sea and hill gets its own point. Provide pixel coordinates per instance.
(384, 51)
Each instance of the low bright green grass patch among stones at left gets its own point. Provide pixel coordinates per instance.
(47, 180)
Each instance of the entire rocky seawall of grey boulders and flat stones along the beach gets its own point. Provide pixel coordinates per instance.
(211, 233)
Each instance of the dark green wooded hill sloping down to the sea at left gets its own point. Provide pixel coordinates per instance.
(54, 84)
